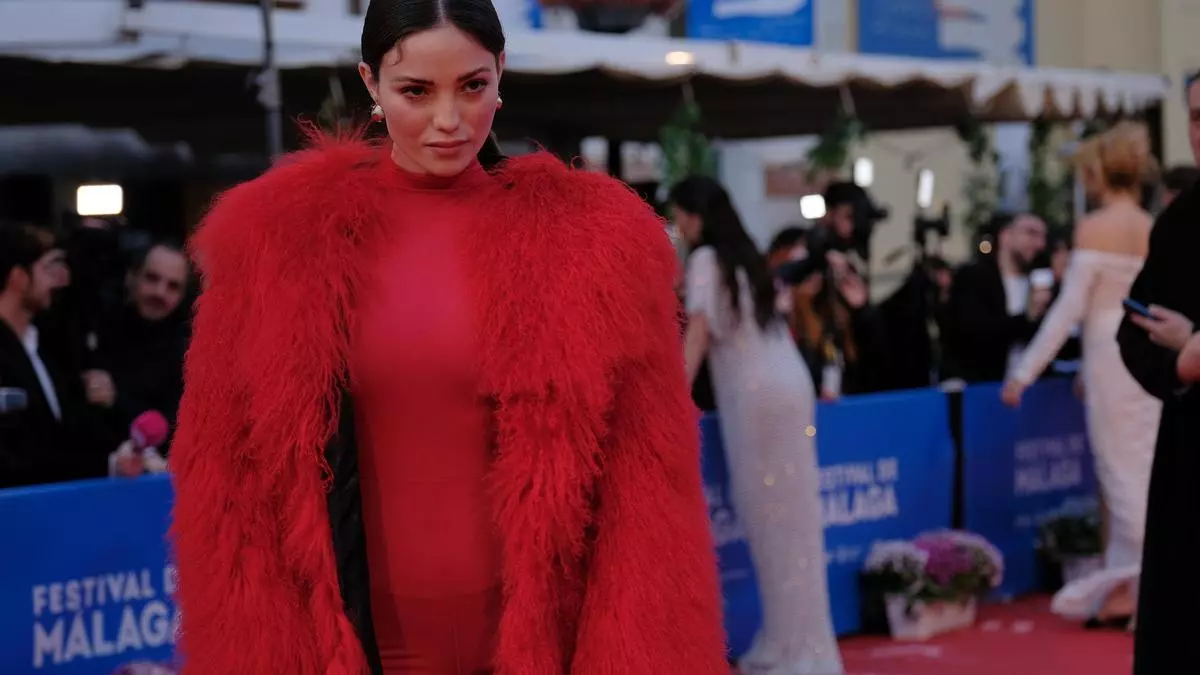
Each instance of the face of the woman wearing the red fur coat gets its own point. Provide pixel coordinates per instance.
(440, 92)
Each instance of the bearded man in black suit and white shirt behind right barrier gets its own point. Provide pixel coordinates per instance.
(993, 310)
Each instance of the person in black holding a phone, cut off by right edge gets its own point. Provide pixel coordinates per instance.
(1163, 354)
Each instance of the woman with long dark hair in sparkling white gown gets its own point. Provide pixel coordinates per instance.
(765, 395)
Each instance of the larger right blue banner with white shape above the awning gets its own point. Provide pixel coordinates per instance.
(997, 32)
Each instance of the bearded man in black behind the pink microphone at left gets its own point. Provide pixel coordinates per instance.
(139, 361)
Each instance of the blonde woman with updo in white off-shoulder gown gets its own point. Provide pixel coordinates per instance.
(1123, 420)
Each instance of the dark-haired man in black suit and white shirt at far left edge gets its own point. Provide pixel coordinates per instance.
(47, 441)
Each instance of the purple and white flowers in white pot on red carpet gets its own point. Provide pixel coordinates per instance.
(932, 584)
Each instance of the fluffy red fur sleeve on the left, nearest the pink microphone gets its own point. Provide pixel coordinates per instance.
(249, 604)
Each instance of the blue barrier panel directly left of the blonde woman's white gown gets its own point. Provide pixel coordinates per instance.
(1022, 467)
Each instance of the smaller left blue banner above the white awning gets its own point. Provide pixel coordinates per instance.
(787, 22)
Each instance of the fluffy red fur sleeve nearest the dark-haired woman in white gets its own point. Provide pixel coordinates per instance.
(653, 602)
